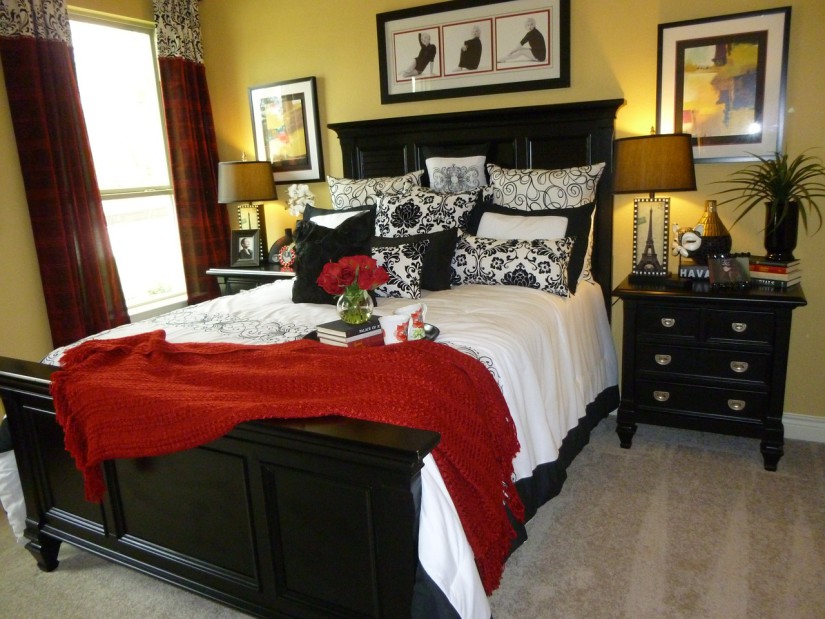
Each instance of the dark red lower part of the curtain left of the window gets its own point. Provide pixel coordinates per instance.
(77, 268)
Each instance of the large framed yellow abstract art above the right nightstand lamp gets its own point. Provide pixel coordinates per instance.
(723, 80)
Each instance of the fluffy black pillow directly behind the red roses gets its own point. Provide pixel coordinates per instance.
(316, 245)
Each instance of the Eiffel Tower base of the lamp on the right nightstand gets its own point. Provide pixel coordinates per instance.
(650, 238)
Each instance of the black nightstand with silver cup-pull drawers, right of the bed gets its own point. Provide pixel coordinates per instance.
(706, 360)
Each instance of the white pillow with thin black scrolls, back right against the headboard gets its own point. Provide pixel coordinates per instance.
(536, 190)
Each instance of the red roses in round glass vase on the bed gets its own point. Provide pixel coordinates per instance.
(350, 279)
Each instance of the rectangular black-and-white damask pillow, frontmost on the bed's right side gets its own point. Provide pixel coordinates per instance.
(539, 264)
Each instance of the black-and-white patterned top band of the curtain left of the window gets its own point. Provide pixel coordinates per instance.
(41, 19)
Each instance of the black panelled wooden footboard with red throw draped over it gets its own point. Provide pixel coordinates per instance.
(312, 518)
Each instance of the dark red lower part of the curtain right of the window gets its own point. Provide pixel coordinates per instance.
(204, 230)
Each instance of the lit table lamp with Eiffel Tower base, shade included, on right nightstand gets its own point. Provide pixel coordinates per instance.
(650, 164)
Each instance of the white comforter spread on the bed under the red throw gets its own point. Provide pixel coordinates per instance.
(551, 356)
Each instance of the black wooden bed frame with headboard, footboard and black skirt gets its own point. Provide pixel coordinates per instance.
(239, 520)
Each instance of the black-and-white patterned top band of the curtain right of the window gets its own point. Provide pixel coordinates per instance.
(178, 29)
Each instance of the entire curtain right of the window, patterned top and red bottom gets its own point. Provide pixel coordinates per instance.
(190, 127)
